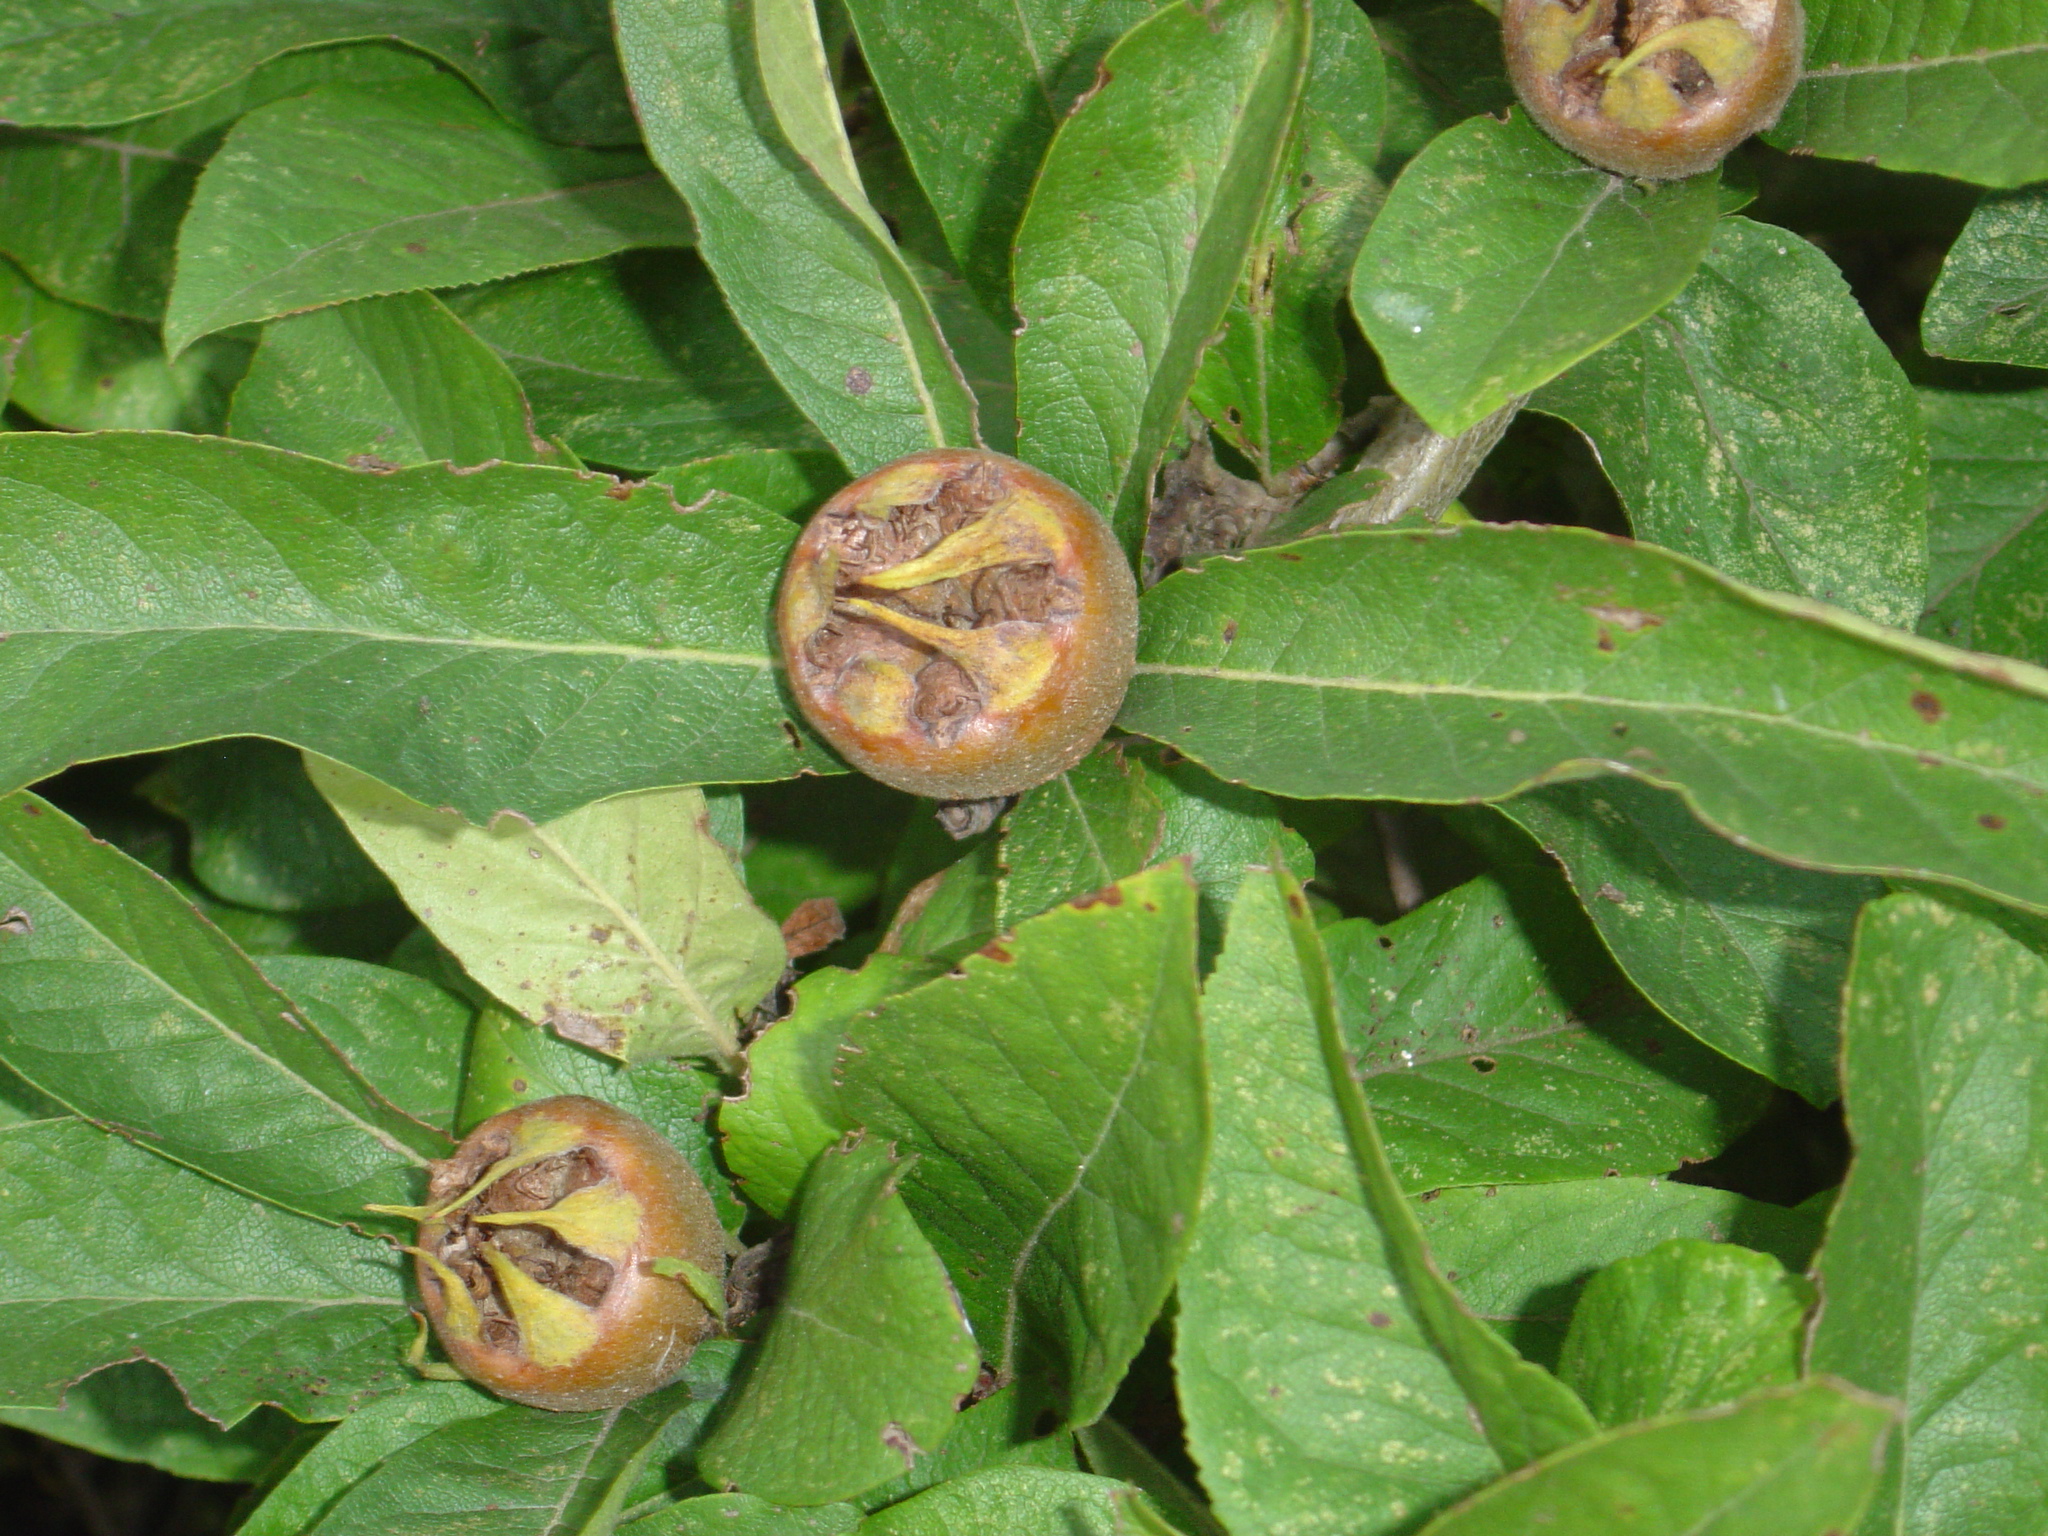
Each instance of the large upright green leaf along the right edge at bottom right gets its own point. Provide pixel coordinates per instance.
(1936, 1261)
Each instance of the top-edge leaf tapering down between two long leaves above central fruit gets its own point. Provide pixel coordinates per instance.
(976, 93)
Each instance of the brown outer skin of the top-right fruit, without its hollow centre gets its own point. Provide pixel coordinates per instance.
(1584, 112)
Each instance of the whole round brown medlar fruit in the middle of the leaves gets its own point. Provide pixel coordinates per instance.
(959, 626)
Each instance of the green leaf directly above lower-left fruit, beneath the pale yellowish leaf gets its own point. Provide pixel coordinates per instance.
(513, 1062)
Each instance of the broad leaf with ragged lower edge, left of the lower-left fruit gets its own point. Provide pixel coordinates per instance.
(114, 1254)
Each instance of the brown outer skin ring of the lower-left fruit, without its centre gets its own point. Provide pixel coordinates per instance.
(646, 1326)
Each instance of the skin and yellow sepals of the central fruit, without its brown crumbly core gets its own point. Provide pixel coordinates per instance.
(1086, 648)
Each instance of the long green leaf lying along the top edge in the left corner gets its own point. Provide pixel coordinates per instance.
(67, 65)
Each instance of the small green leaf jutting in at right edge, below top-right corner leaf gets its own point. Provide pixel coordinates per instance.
(1992, 300)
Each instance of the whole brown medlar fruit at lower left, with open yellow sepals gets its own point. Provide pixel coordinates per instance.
(536, 1256)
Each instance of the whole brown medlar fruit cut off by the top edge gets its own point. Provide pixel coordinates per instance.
(1654, 89)
